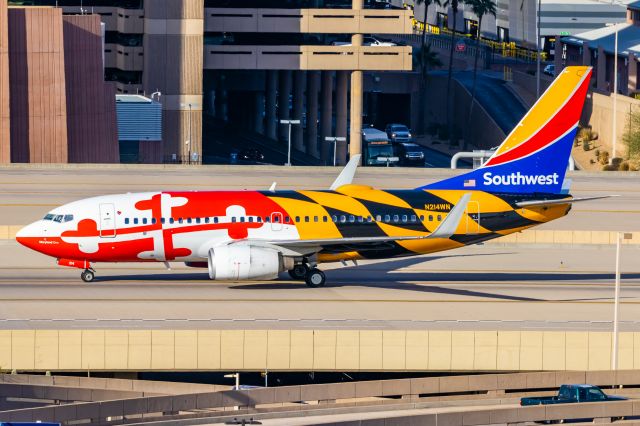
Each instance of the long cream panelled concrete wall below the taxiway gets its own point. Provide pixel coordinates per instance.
(313, 350)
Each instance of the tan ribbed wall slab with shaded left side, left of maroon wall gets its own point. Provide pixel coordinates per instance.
(38, 98)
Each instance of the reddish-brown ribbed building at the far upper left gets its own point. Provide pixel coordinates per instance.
(57, 108)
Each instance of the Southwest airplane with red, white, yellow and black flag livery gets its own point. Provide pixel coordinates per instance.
(256, 235)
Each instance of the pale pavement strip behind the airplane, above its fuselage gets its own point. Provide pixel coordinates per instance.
(27, 194)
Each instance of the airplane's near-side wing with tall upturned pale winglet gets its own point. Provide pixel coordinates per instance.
(445, 230)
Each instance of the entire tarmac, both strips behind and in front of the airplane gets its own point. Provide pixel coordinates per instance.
(484, 287)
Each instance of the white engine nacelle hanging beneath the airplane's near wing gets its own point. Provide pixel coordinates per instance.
(243, 262)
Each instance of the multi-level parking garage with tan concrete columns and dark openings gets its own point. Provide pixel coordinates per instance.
(249, 65)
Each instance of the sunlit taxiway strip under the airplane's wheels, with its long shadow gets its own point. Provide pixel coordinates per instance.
(478, 287)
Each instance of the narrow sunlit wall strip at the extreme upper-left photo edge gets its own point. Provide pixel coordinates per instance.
(5, 135)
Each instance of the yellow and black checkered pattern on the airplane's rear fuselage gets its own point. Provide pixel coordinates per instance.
(362, 211)
